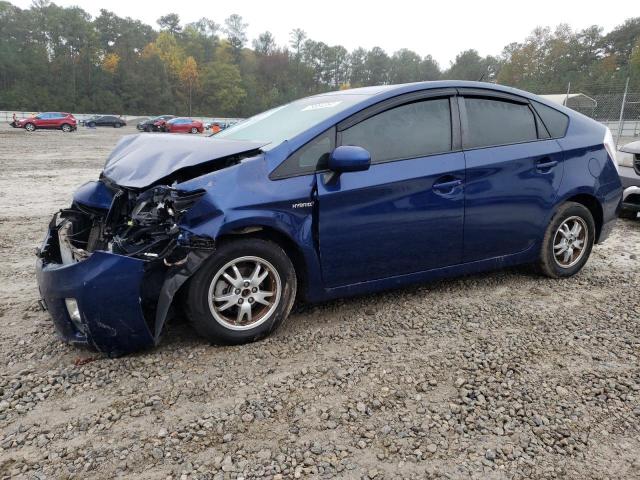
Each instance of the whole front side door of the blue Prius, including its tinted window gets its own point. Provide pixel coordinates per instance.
(405, 214)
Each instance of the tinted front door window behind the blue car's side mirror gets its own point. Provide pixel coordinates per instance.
(412, 130)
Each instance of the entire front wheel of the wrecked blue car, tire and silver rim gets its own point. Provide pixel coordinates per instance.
(242, 293)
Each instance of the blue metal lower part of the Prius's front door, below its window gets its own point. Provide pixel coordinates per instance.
(391, 220)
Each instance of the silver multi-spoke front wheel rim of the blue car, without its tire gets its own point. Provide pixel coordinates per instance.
(244, 293)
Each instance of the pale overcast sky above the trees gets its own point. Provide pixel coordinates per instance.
(425, 27)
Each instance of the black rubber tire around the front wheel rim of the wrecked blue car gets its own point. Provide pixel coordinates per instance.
(197, 303)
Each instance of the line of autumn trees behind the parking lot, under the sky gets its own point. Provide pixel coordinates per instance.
(55, 58)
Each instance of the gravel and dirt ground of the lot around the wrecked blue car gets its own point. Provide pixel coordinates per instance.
(503, 375)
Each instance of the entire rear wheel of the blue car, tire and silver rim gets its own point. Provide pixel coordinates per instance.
(568, 241)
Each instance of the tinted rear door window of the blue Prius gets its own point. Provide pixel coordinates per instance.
(493, 122)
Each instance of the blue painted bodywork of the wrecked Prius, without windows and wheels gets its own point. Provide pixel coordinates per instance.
(394, 224)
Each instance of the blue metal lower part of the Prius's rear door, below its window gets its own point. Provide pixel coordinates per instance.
(508, 197)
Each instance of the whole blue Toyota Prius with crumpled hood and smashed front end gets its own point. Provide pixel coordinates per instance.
(337, 194)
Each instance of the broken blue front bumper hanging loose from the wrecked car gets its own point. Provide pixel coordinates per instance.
(120, 311)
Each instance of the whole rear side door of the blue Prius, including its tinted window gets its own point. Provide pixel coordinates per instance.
(513, 173)
